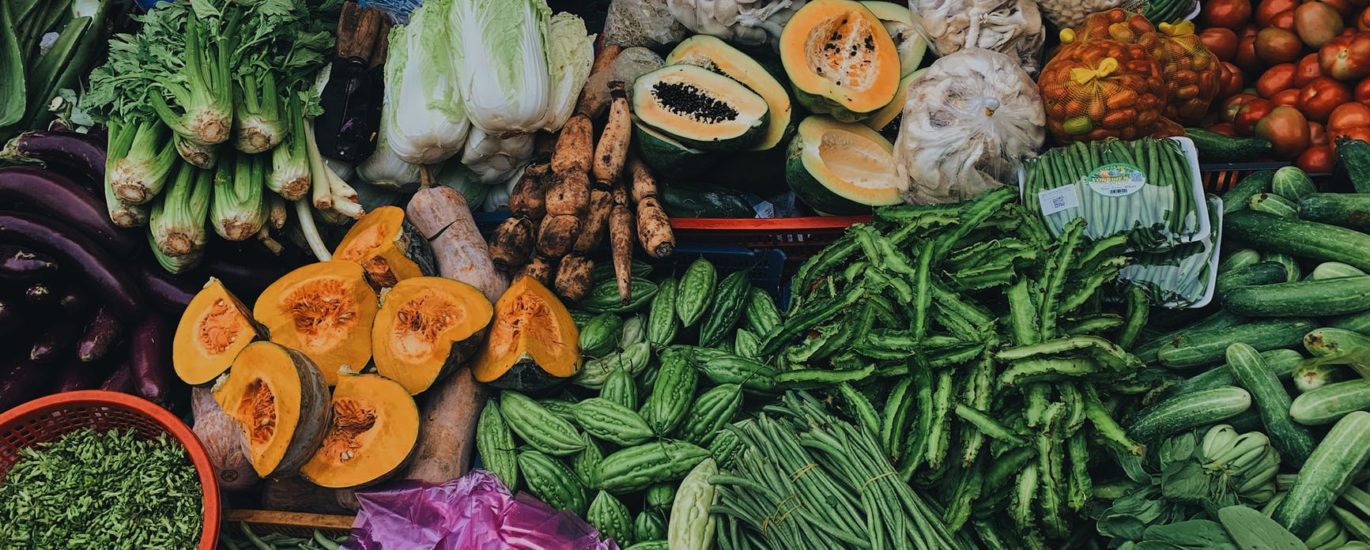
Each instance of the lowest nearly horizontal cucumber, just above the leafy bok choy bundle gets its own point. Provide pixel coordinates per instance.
(1188, 412)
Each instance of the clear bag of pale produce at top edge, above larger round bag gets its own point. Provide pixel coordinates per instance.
(1009, 27)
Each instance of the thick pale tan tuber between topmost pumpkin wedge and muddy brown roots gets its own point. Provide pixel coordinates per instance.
(442, 216)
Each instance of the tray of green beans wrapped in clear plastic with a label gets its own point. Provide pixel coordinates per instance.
(1147, 190)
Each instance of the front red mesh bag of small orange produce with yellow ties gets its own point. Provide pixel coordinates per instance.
(1105, 88)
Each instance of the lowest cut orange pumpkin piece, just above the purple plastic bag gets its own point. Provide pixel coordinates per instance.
(375, 430)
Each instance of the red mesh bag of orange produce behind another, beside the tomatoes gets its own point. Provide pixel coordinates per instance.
(1193, 73)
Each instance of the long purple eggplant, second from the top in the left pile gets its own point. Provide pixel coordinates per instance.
(57, 195)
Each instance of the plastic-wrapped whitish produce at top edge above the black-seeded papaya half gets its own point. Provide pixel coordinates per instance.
(745, 23)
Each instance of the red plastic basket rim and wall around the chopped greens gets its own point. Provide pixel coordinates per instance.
(47, 419)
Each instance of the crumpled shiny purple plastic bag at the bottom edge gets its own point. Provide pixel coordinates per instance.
(475, 512)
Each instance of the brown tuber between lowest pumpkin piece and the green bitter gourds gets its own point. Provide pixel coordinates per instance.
(449, 430)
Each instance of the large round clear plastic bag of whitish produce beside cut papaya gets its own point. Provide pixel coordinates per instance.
(968, 123)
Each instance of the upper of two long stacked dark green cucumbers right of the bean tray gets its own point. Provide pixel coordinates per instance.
(1299, 238)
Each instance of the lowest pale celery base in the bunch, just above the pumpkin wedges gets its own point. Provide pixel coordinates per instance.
(177, 220)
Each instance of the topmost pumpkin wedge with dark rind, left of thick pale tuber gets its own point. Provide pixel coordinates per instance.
(388, 248)
